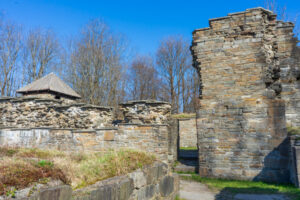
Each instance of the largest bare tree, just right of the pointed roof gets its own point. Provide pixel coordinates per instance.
(96, 64)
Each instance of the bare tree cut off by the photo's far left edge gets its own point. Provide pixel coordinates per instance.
(10, 45)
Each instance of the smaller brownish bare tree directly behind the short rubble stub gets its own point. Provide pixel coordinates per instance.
(145, 83)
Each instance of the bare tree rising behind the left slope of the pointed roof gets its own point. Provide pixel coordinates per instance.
(40, 53)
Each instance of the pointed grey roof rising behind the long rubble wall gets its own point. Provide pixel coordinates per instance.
(51, 82)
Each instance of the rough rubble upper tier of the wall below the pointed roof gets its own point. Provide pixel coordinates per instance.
(28, 112)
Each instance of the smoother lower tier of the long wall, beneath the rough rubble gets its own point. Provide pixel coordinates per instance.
(151, 138)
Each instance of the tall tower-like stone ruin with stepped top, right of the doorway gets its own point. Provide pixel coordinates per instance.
(241, 123)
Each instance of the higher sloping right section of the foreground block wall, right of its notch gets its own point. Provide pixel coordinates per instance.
(152, 182)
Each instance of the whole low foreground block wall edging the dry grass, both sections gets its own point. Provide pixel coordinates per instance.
(152, 182)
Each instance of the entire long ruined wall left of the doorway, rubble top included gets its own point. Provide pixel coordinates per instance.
(44, 123)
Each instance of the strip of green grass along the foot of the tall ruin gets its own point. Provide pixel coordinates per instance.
(236, 186)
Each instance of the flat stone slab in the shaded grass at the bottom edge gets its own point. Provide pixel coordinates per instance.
(260, 197)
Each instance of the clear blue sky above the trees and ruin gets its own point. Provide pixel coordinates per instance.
(144, 23)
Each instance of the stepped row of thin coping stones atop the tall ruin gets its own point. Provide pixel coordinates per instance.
(230, 15)
